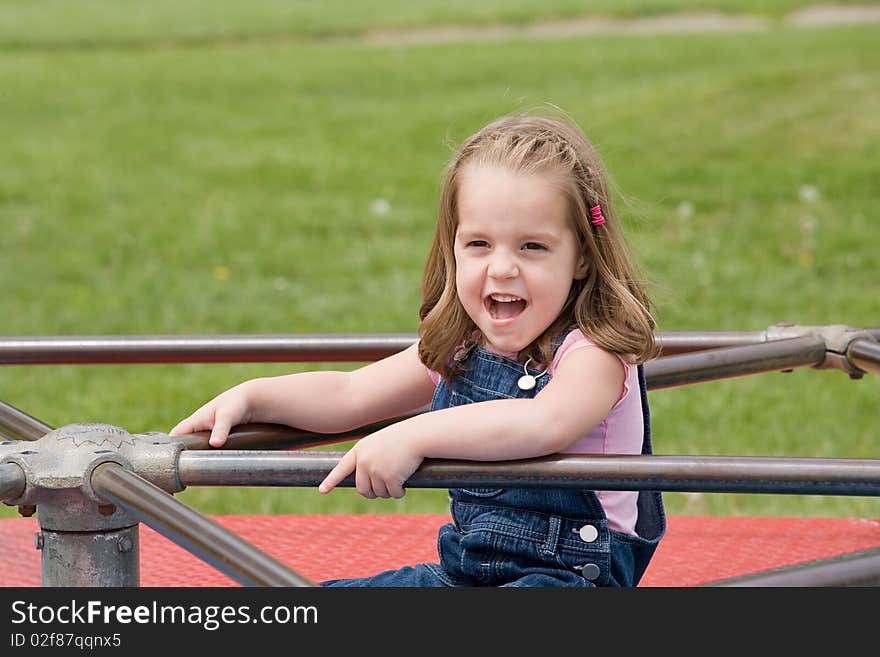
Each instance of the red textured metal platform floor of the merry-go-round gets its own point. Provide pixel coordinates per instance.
(695, 550)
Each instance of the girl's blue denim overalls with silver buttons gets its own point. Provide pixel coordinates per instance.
(528, 536)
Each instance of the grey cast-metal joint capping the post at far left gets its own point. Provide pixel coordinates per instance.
(58, 469)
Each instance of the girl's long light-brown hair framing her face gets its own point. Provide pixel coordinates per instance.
(610, 305)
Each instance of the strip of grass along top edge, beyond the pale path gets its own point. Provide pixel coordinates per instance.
(99, 23)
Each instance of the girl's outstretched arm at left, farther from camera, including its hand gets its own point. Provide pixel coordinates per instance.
(325, 402)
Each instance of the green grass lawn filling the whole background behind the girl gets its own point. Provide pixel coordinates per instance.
(169, 169)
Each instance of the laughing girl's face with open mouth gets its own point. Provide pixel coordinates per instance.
(516, 254)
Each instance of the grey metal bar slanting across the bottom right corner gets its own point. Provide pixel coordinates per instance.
(860, 568)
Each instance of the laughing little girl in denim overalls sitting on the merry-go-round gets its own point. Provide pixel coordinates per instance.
(533, 330)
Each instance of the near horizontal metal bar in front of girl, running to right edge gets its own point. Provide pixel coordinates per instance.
(727, 474)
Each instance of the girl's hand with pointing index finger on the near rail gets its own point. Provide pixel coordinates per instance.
(381, 463)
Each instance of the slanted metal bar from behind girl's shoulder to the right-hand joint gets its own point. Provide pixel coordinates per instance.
(713, 364)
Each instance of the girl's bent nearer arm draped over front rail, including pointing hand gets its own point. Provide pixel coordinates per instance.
(584, 388)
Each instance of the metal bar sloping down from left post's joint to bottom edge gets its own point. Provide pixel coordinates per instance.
(203, 537)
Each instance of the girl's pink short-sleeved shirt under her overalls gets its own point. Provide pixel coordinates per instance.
(621, 432)
